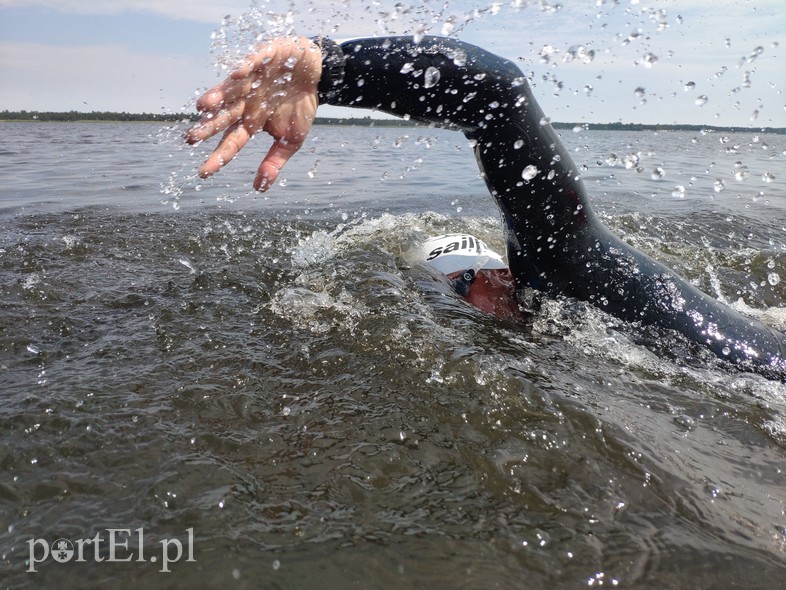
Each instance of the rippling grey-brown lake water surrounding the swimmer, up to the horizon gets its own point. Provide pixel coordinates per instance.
(270, 380)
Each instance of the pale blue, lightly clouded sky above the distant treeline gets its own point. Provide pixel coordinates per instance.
(704, 62)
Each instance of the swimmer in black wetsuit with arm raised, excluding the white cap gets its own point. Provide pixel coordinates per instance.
(555, 243)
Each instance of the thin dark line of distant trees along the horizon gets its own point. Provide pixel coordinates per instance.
(352, 121)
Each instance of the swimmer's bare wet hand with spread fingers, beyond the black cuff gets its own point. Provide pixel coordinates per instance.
(275, 90)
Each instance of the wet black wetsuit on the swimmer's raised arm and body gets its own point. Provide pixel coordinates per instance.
(556, 243)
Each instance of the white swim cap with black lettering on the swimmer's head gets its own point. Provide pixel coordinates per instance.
(455, 252)
